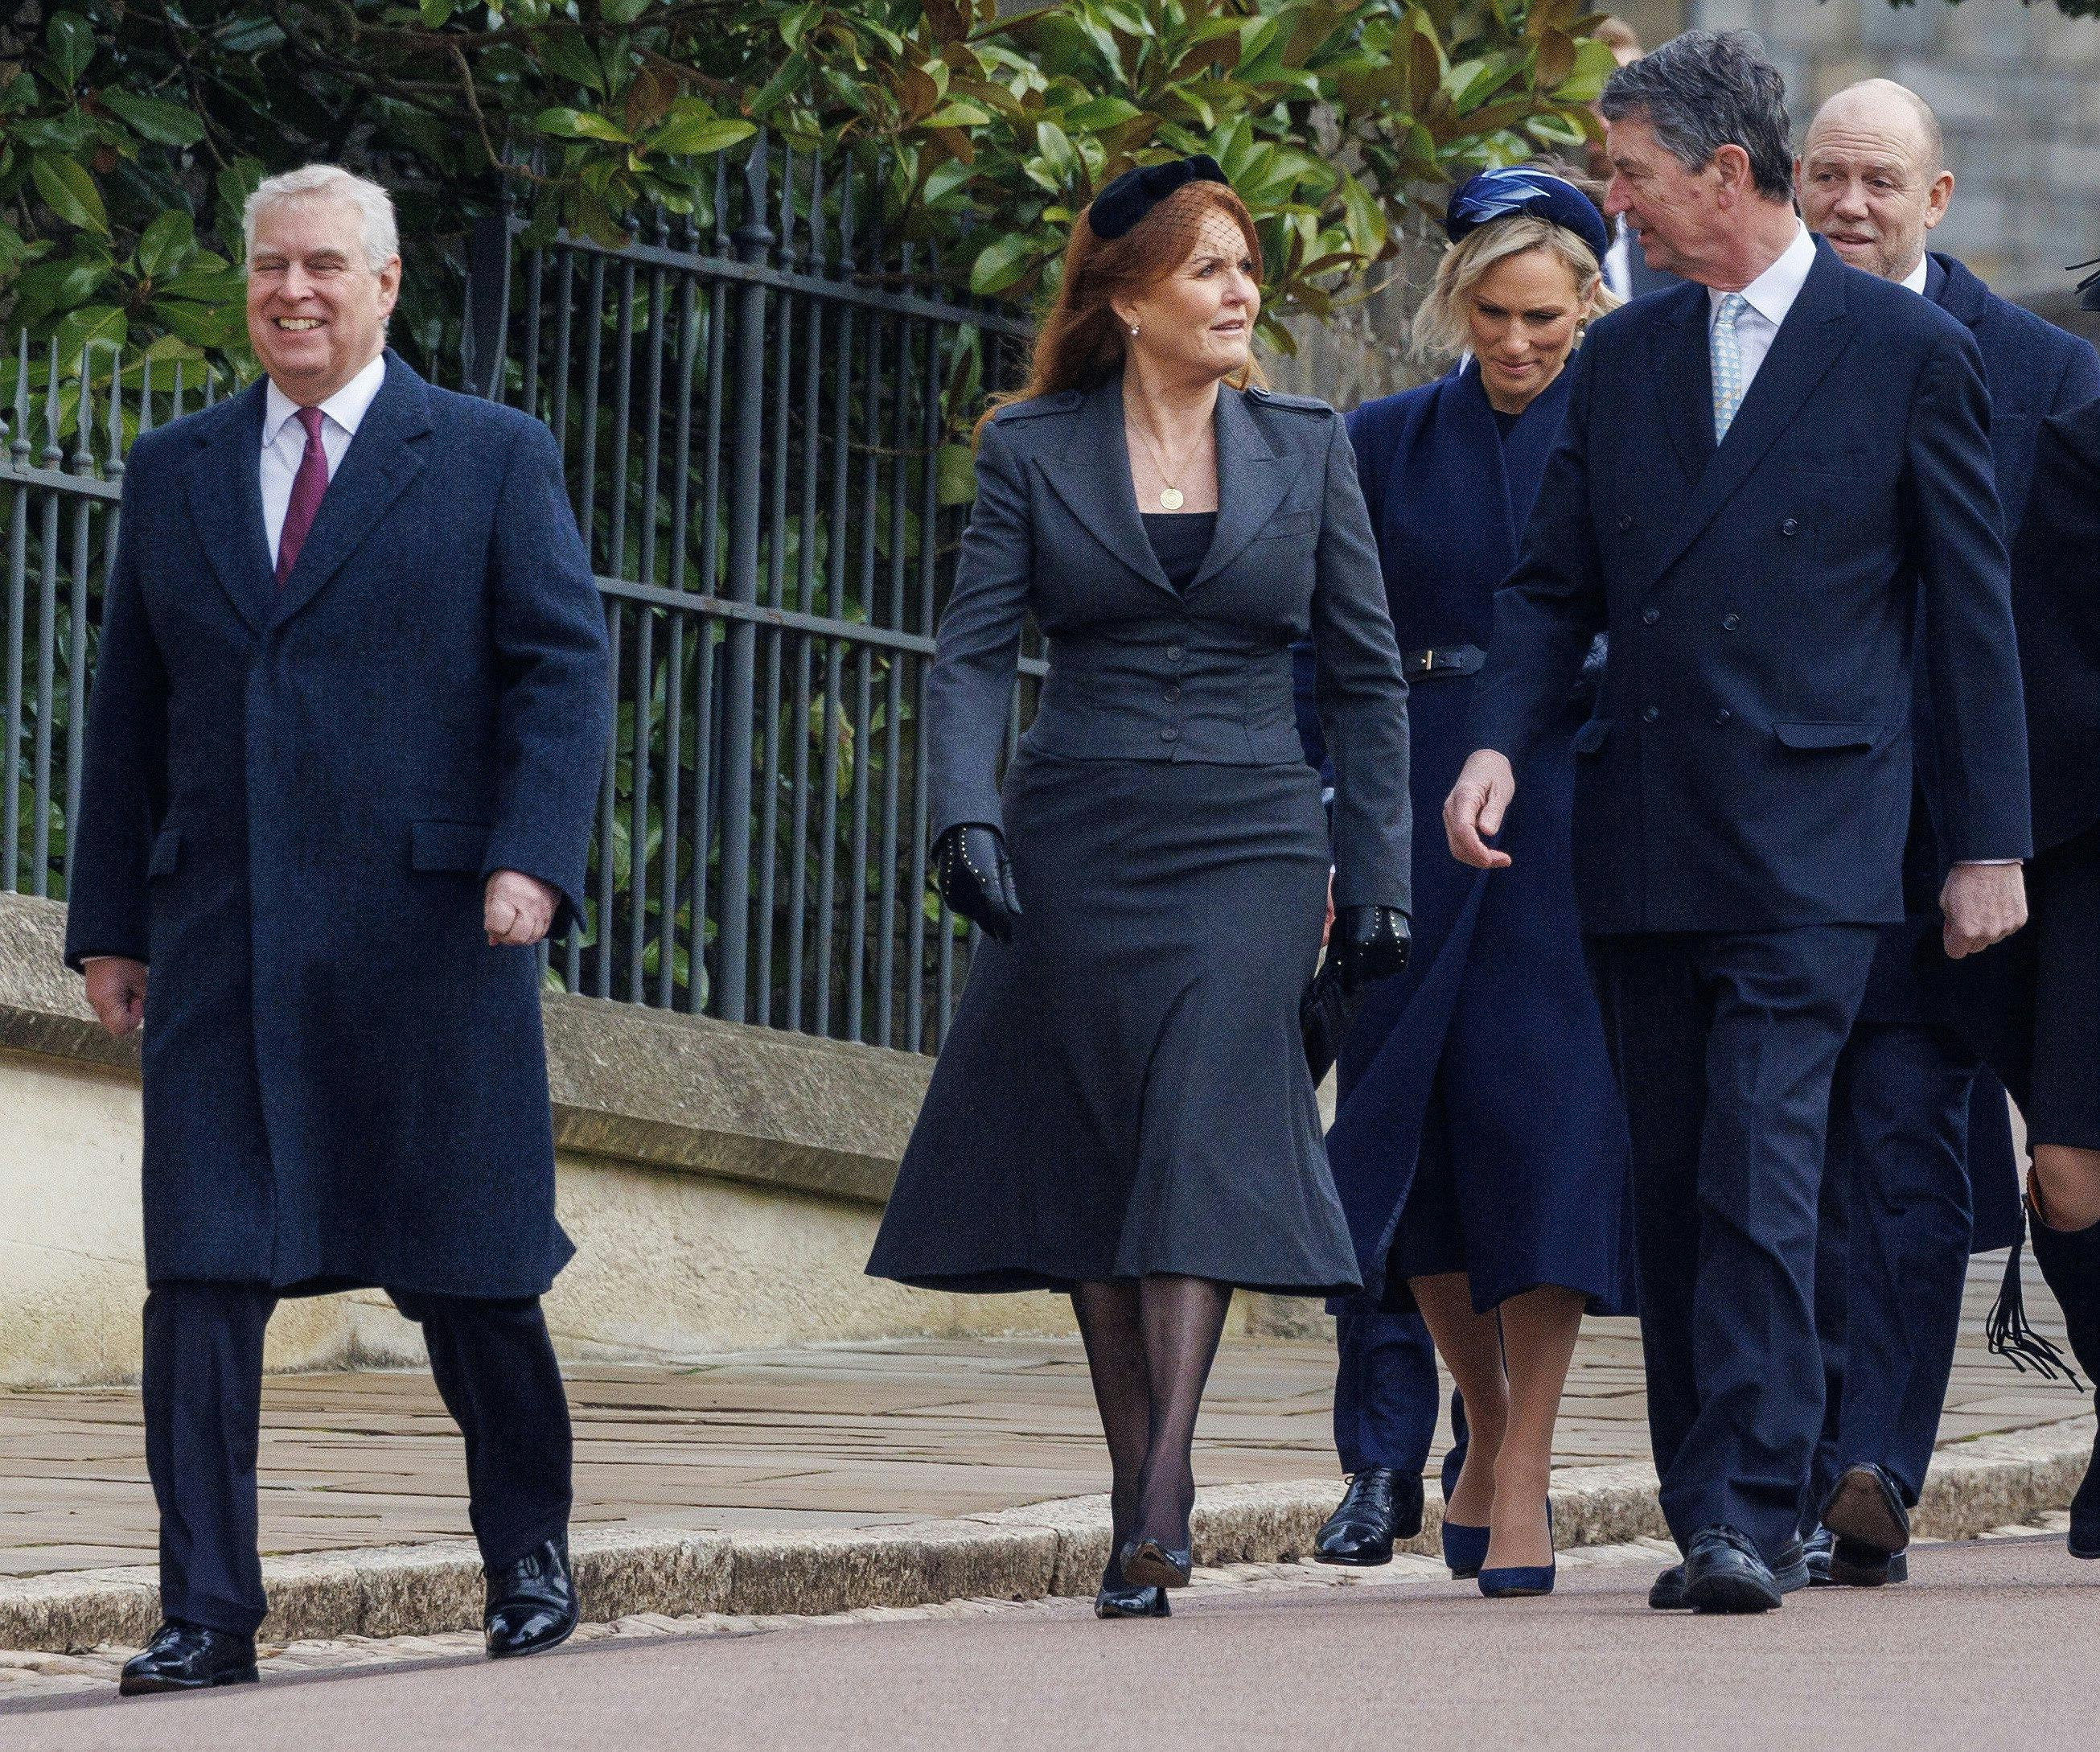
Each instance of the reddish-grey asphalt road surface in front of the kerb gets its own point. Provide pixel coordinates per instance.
(1990, 1646)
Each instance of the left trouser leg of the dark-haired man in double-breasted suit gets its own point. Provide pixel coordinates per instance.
(1656, 1030)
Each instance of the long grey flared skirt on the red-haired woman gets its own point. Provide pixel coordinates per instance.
(1125, 1091)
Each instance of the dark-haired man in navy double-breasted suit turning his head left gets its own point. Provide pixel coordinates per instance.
(1759, 478)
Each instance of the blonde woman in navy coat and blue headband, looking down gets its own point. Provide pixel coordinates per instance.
(1479, 1146)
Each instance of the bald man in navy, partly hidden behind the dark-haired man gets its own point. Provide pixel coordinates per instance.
(1920, 1165)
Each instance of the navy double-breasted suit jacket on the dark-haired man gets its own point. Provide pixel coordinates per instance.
(1748, 766)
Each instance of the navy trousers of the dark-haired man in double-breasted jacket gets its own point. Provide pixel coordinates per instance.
(1725, 1047)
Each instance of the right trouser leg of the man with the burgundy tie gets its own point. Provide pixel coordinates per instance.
(499, 1377)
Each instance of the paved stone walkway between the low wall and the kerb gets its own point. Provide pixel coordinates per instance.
(822, 1438)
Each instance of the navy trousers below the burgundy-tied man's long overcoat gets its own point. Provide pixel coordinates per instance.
(203, 1388)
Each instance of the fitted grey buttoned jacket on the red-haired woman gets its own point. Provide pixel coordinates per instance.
(1141, 671)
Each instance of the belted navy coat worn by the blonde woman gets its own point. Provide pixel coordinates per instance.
(1494, 1020)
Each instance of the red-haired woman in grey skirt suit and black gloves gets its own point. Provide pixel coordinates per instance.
(1122, 1108)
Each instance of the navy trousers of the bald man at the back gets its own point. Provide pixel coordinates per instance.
(1893, 1249)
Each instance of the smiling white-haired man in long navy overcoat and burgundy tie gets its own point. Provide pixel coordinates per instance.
(350, 717)
